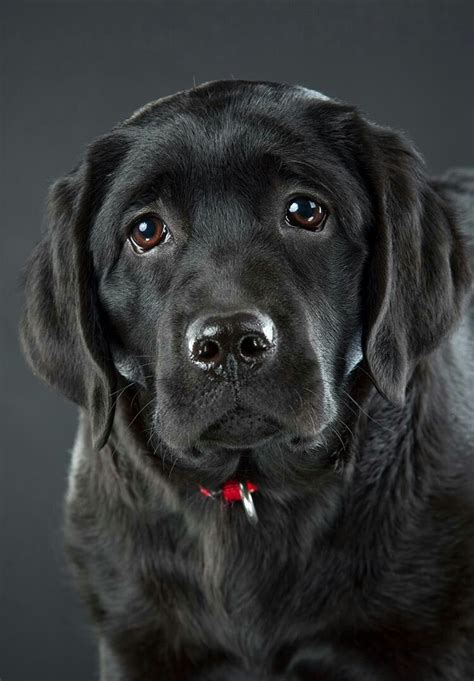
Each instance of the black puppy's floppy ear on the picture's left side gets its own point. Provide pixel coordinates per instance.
(61, 330)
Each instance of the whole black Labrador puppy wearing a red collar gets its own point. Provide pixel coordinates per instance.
(259, 300)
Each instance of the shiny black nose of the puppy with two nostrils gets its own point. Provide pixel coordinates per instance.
(247, 337)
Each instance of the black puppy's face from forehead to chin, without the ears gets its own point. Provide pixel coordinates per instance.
(239, 311)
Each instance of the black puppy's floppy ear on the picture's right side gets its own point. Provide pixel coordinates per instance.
(418, 272)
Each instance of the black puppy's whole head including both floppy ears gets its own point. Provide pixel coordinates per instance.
(242, 253)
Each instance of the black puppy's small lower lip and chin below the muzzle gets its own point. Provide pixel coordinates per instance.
(240, 428)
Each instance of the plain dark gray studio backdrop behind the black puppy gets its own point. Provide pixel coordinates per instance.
(69, 72)
